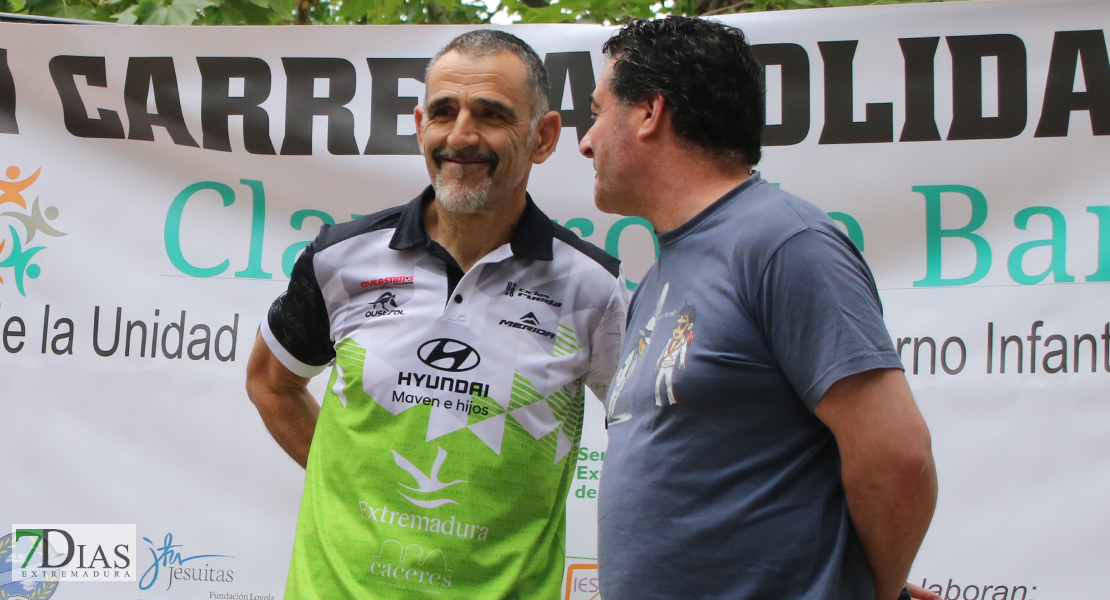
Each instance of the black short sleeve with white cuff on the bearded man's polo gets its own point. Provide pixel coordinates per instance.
(297, 329)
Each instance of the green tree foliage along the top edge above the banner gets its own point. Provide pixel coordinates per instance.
(185, 13)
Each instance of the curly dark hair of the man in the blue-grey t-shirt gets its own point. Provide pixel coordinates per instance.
(708, 75)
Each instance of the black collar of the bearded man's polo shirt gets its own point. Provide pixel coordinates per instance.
(532, 239)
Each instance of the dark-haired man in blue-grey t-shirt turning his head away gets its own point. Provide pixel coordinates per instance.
(763, 439)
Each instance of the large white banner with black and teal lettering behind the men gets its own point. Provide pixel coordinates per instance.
(157, 184)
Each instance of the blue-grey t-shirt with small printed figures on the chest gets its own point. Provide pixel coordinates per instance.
(719, 481)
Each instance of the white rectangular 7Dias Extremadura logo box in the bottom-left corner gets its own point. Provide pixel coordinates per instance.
(75, 553)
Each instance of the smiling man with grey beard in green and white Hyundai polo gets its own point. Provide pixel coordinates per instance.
(443, 452)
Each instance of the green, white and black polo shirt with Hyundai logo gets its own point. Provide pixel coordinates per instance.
(449, 434)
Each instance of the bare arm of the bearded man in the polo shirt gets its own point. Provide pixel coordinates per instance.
(282, 399)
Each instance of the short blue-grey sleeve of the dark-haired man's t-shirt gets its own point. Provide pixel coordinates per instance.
(821, 313)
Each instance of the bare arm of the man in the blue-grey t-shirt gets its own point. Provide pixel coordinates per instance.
(887, 467)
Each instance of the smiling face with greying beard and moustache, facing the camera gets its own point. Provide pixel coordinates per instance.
(476, 131)
